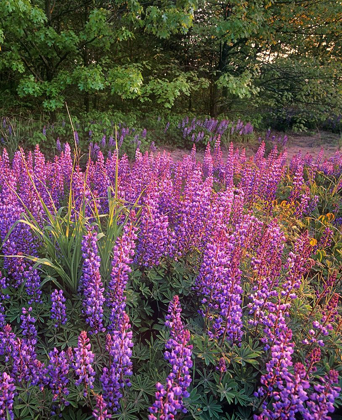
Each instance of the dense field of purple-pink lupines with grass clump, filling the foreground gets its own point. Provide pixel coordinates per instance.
(155, 289)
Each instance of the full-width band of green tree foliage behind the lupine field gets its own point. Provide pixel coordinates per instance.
(202, 56)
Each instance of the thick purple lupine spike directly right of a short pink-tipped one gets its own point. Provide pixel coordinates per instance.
(116, 376)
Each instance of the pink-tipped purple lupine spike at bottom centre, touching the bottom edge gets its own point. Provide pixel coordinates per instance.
(169, 398)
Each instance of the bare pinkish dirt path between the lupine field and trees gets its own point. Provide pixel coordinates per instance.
(305, 143)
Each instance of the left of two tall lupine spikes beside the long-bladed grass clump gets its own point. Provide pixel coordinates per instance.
(92, 284)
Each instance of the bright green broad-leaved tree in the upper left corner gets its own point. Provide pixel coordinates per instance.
(55, 49)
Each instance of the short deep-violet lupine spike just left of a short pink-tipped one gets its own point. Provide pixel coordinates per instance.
(58, 371)
